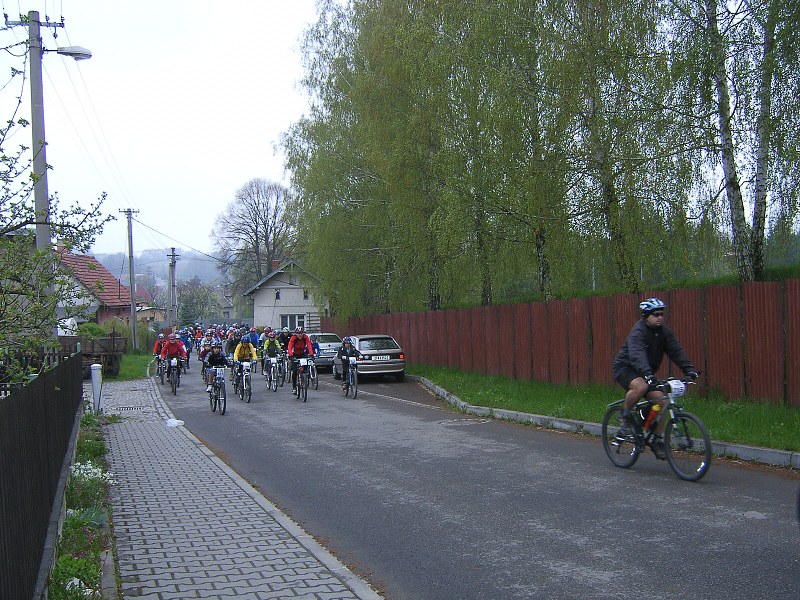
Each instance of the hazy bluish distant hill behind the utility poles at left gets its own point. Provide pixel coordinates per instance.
(188, 265)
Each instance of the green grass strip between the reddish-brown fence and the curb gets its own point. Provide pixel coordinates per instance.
(742, 422)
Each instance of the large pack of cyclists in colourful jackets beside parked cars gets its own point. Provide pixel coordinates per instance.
(219, 346)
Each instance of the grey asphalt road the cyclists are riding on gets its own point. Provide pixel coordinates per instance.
(427, 503)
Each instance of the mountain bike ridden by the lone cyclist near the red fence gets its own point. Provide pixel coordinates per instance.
(686, 440)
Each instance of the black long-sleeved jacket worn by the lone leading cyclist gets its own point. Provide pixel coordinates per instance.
(645, 347)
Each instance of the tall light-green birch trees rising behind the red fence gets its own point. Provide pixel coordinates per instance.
(469, 152)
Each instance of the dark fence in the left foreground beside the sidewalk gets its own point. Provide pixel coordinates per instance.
(38, 424)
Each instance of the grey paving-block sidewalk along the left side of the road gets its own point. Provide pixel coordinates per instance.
(187, 526)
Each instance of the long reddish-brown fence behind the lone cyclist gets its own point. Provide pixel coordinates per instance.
(744, 339)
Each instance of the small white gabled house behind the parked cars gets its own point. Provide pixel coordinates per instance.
(284, 298)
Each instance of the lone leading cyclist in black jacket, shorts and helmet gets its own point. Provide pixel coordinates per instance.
(639, 358)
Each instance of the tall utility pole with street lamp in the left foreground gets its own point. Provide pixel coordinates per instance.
(40, 193)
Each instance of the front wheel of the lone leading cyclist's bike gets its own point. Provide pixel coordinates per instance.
(688, 446)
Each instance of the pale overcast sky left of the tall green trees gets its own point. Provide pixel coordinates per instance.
(182, 103)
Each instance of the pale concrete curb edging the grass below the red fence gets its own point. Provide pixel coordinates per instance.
(767, 456)
